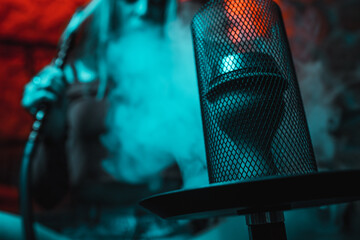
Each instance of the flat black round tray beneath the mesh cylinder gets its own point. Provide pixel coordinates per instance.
(260, 195)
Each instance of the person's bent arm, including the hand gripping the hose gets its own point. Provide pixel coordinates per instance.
(50, 175)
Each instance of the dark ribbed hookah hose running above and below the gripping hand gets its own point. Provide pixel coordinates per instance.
(64, 46)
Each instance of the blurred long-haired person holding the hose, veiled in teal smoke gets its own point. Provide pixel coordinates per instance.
(89, 175)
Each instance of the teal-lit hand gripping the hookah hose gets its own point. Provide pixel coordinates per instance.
(46, 87)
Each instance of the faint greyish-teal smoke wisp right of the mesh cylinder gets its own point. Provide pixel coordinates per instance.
(319, 108)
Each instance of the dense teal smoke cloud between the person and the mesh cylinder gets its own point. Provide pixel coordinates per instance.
(154, 117)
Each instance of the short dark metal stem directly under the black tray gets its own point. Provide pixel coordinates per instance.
(266, 226)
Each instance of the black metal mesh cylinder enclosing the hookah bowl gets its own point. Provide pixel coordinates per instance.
(252, 112)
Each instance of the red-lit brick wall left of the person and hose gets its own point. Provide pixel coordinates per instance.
(29, 31)
